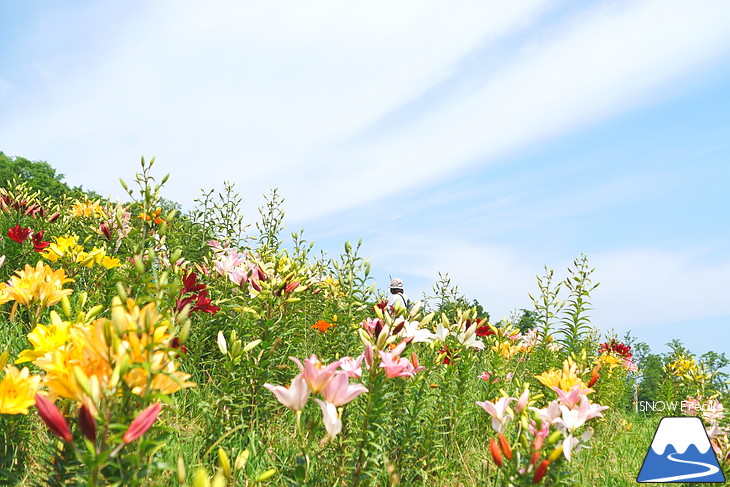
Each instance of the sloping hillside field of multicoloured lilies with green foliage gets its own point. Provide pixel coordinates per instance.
(143, 345)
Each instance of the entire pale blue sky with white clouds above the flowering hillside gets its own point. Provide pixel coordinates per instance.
(483, 139)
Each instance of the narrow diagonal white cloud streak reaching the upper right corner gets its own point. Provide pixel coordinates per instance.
(591, 66)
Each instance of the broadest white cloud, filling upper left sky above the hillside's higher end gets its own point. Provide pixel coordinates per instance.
(253, 92)
